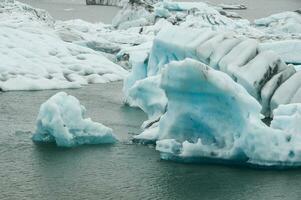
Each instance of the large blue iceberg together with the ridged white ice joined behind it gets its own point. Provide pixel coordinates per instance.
(204, 114)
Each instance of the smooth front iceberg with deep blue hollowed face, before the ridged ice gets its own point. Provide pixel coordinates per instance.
(209, 116)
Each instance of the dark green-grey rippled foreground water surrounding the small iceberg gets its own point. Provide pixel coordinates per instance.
(121, 171)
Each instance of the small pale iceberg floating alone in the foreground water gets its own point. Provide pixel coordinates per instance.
(61, 120)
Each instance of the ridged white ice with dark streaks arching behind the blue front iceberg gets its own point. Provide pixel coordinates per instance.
(261, 73)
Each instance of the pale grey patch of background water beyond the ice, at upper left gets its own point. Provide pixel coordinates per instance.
(73, 9)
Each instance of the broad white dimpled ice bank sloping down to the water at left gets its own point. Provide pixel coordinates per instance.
(34, 56)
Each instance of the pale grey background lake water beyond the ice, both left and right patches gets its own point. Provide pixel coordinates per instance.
(70, 9)
